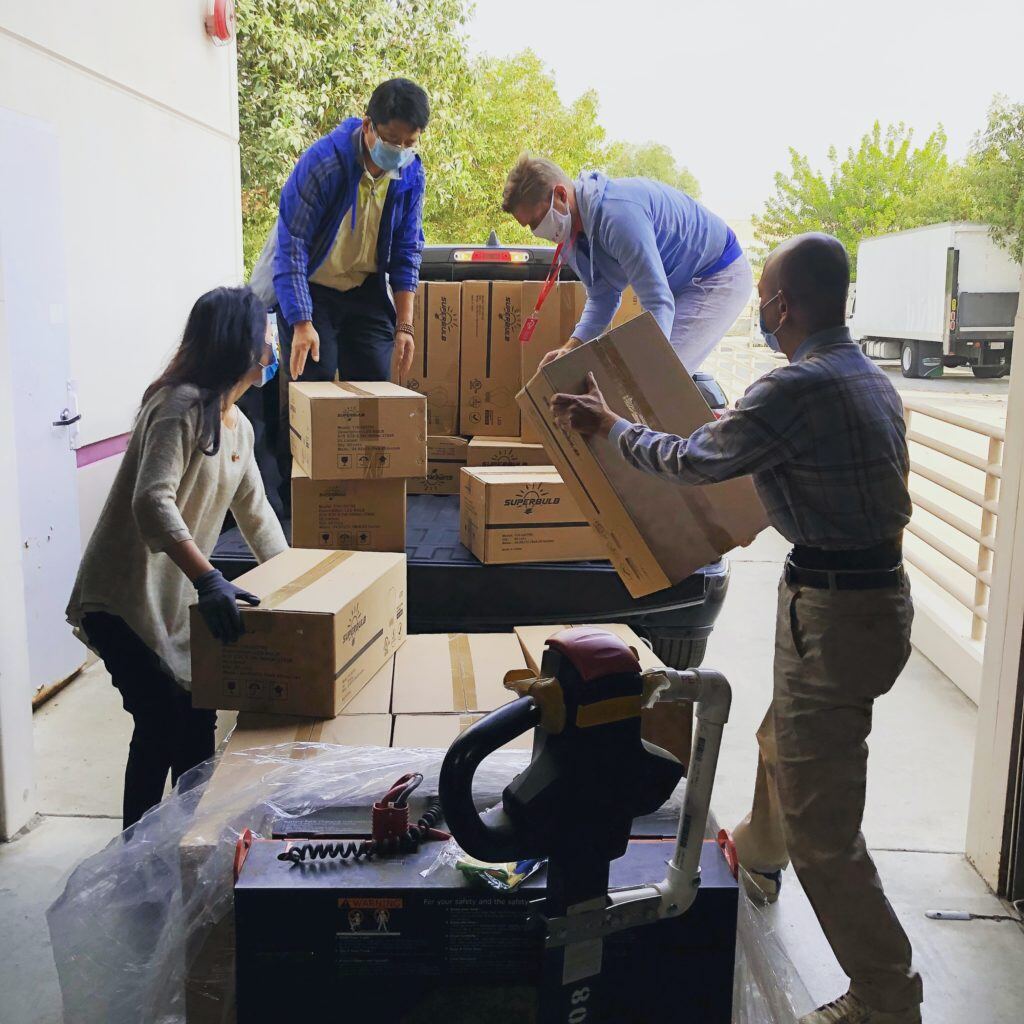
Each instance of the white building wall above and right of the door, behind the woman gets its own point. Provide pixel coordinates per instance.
(146, 108)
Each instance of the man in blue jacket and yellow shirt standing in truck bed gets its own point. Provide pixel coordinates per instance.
(350, 238)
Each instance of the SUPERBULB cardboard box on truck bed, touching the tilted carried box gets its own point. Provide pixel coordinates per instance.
(524, 515)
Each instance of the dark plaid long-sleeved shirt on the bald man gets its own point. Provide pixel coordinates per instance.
(824, 439)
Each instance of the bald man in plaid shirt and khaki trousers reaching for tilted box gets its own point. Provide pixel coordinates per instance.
(825, 441)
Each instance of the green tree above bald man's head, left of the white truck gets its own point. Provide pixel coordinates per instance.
(886, 185)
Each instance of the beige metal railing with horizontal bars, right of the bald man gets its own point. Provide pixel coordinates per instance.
(980, 536)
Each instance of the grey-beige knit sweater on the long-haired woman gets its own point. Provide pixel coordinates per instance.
(168, 491)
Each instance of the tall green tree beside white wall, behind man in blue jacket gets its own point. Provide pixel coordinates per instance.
(307, 65)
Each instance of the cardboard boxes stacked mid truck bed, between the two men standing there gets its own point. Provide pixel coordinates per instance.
(470, 365)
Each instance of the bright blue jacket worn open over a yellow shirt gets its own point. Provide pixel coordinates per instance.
(319, 193)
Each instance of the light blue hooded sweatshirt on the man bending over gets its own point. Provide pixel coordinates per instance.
(648, 235)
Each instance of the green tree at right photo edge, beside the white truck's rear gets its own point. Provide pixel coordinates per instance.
(995, 174)
